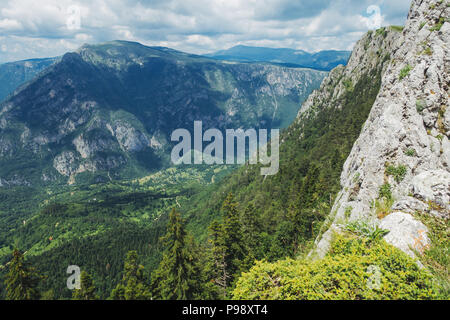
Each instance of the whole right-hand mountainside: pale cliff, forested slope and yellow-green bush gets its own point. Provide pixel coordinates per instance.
(365, 166)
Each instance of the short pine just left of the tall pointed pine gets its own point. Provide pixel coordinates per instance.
(134, 284)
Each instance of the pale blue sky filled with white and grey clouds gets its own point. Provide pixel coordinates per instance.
(48, 28)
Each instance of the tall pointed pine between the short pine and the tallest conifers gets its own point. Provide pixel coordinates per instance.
(178, 276)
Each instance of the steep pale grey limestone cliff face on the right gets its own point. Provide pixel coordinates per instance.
(407, 128)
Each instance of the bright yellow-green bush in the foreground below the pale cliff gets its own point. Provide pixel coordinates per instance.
(346, 273)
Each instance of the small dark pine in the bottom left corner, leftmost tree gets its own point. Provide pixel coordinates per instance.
(22, 279)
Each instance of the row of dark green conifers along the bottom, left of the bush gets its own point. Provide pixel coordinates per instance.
(187, 270)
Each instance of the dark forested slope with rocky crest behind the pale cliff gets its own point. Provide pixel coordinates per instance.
(312, 152)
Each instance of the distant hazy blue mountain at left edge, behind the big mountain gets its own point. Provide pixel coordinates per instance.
(14, 74)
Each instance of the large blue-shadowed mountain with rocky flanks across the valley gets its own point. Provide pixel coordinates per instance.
(107, 111)
